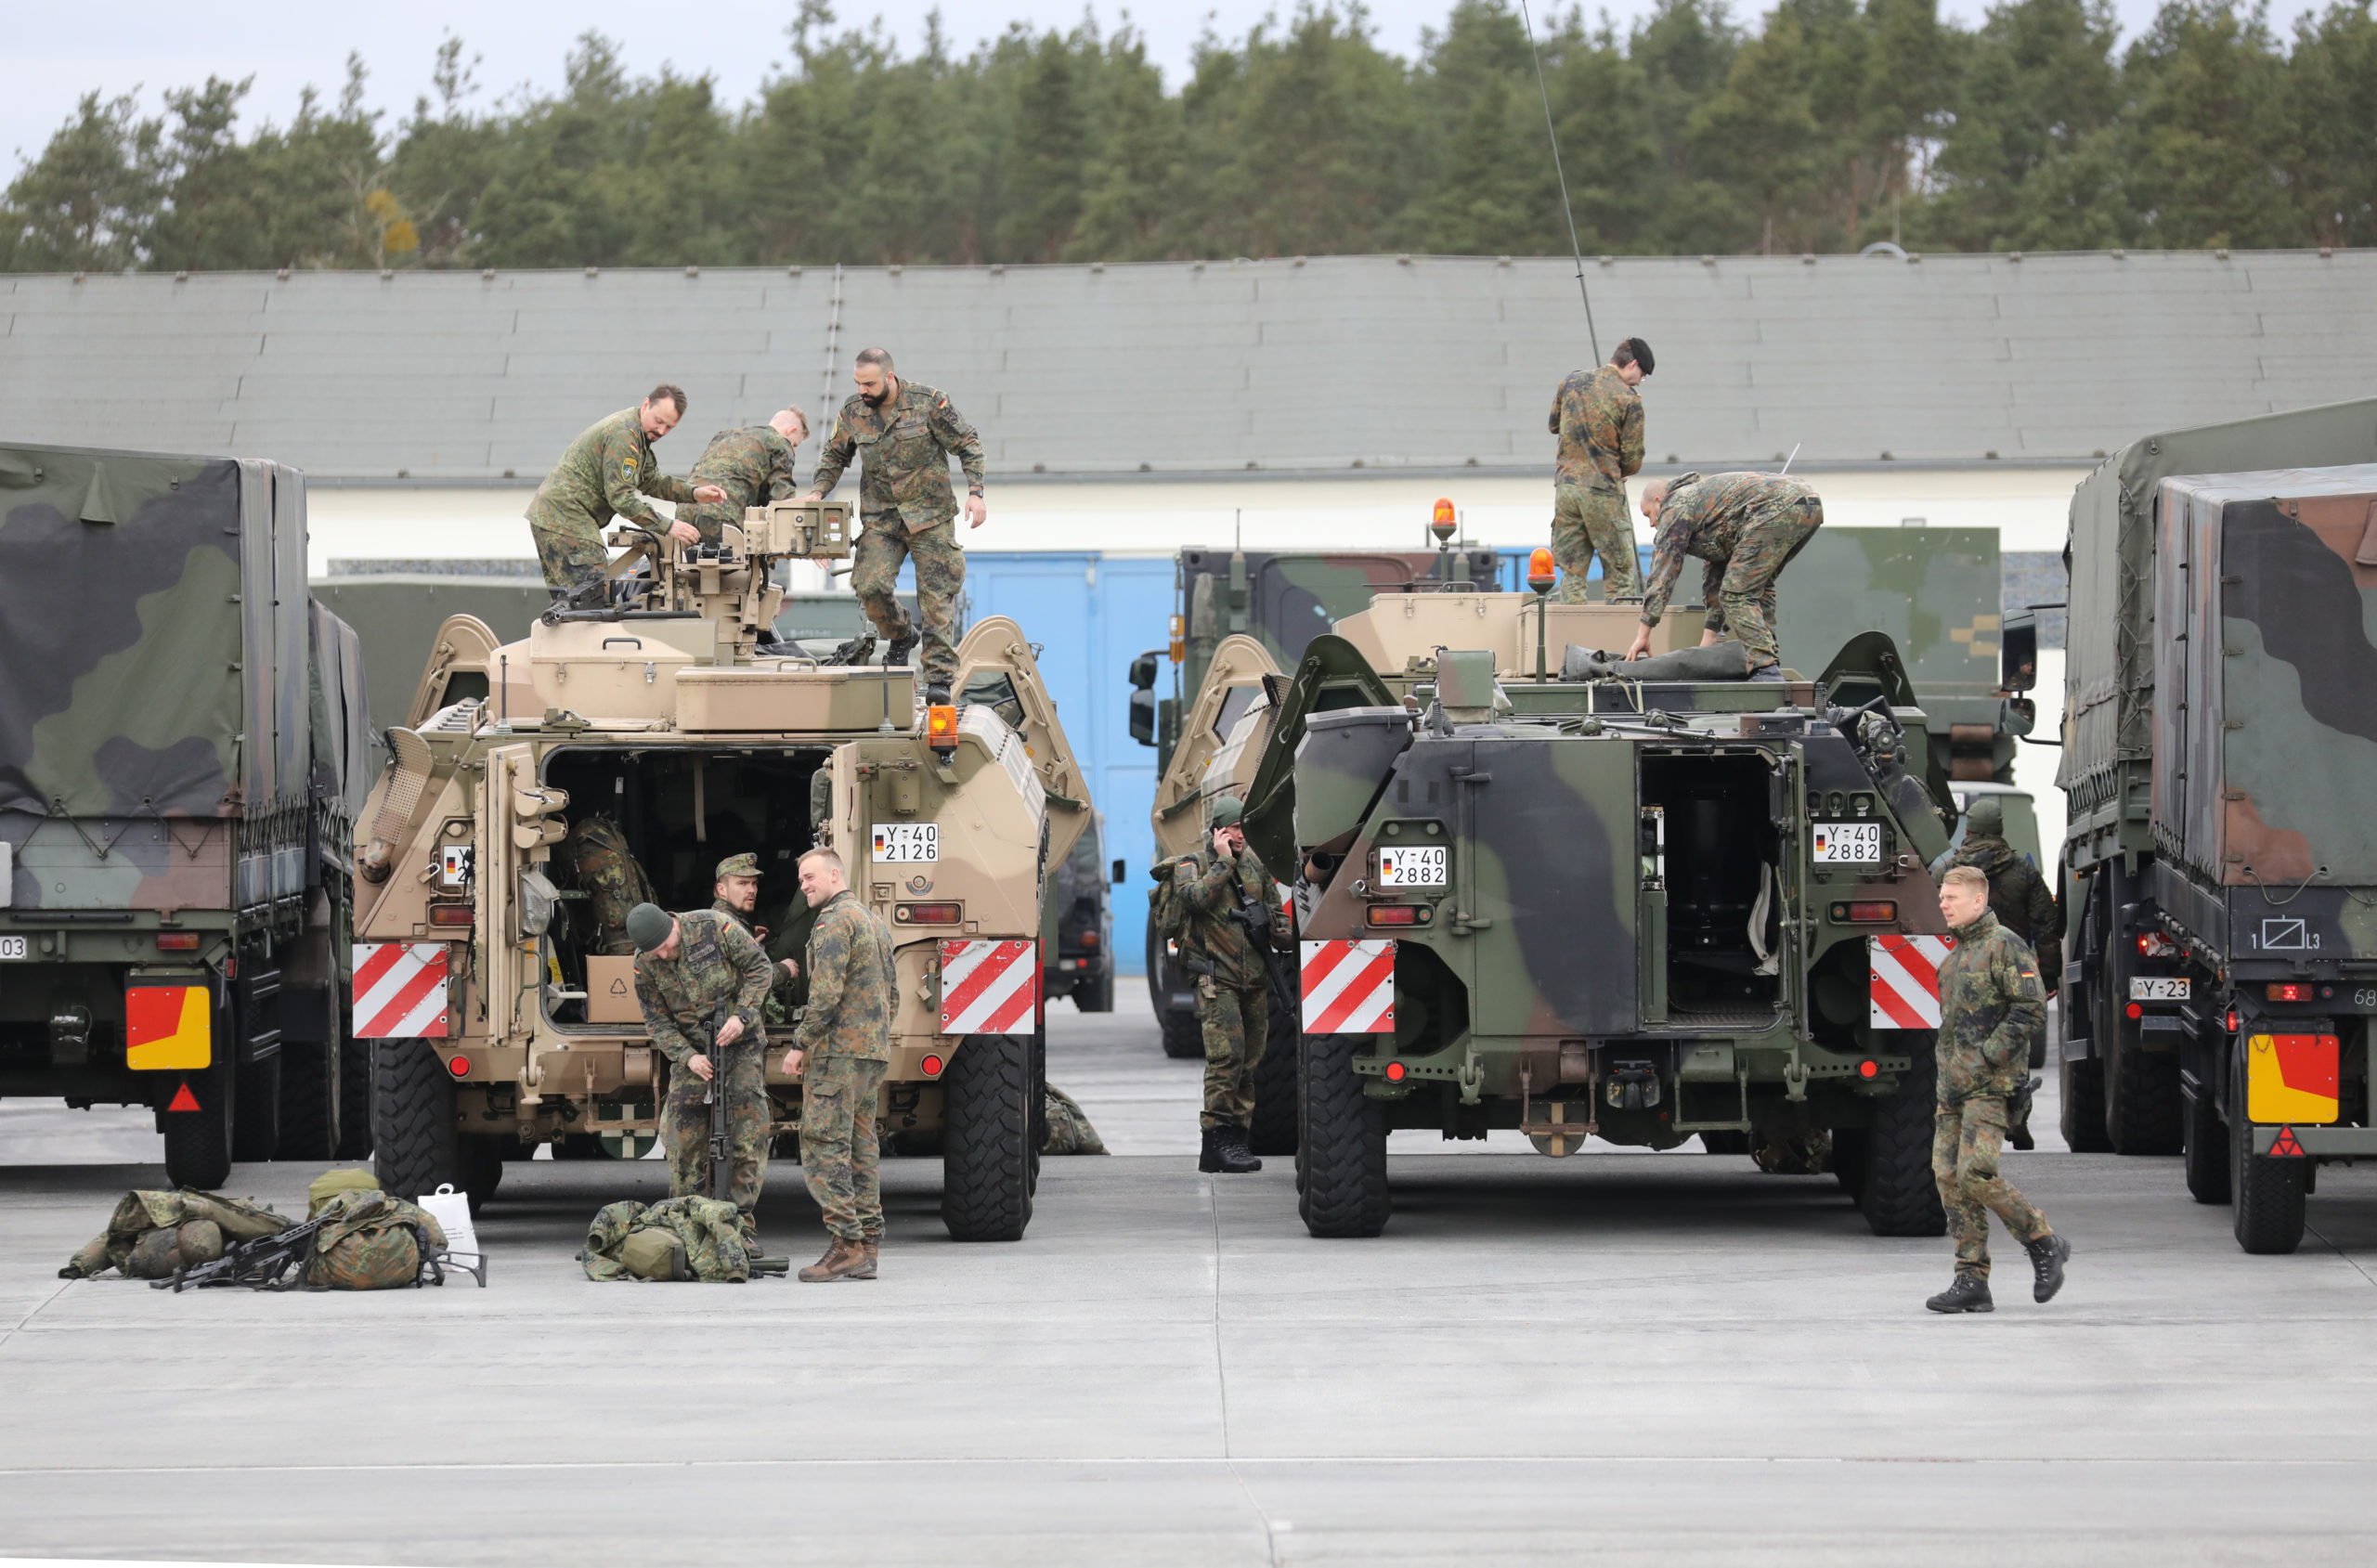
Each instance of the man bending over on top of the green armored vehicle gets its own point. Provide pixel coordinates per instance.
(1746, 529)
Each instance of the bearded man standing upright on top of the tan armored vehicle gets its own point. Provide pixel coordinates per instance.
(907, 434)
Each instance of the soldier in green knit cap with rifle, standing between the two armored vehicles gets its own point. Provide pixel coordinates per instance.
(1230, 899)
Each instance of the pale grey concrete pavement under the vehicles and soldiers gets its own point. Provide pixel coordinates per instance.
(1608, 1358)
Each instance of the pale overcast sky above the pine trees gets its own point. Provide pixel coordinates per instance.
(58, 53)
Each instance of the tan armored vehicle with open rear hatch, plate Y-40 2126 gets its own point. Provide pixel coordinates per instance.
(619, 754)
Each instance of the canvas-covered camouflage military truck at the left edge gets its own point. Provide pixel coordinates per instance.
(182, 740)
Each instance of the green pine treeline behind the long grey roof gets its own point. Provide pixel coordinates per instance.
(1822, 125)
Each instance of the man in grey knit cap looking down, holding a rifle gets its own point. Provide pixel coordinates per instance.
(683, 968)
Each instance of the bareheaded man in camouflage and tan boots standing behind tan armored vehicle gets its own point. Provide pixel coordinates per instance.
(843, 1051)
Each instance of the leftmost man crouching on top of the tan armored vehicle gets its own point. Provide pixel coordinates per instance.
(607, 472)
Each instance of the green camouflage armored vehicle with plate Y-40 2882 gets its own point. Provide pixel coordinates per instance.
(1632, 904)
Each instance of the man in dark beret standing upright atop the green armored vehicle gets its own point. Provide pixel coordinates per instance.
(1599, 419)
